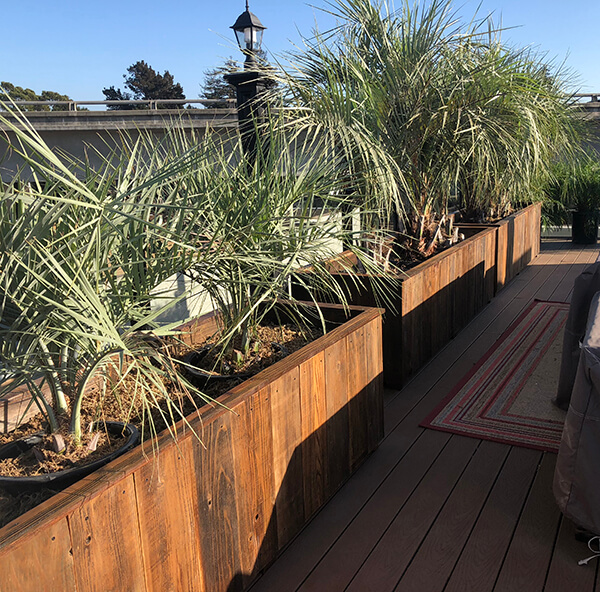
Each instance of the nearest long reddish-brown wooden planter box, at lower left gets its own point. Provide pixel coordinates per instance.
(210, 517)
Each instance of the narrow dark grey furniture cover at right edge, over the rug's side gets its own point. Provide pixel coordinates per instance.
(586, 285)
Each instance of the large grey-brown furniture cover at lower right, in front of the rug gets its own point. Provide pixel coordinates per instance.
(577, 473)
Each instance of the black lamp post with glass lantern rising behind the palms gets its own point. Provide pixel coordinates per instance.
(249, 83)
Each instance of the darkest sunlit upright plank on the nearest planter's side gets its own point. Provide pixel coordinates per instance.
(220, 547)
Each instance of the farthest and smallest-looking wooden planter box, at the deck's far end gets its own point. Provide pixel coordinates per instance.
(518, 241)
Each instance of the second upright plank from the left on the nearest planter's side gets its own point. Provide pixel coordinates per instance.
(107, 548)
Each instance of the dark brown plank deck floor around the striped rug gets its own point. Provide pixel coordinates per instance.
(432, 511)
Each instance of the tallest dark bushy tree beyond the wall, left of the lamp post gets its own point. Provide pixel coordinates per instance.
(144, 83)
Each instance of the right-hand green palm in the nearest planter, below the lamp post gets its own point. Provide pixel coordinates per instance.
(266, 216)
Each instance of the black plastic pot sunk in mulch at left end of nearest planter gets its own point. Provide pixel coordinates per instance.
(61, 479)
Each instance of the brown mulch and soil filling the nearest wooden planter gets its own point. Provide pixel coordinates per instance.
(271, 344)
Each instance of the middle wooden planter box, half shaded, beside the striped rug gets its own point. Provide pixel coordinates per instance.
(435, 301)
